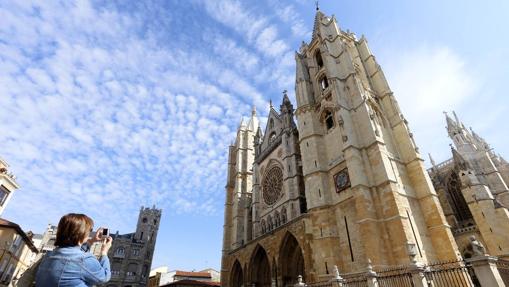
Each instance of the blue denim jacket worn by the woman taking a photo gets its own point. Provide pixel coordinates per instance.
(71, 266)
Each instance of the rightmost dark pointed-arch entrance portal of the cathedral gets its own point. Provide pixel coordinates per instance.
(291, 260)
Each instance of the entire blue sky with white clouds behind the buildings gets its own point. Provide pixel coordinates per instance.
(107, 107)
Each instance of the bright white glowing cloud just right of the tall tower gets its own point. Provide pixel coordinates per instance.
(427, 81)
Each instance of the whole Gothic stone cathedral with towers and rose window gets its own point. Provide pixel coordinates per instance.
(338, 180)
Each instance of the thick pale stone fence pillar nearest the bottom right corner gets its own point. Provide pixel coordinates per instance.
(486, 270)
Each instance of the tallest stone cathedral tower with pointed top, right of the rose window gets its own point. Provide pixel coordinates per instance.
(360, 160)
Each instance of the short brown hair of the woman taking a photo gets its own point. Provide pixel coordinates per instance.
(72, 229)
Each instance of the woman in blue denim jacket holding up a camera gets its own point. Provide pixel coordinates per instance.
(69, 264)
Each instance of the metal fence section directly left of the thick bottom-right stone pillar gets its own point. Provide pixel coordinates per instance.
(451, 273)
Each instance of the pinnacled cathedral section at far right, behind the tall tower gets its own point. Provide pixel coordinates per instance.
(472, 188)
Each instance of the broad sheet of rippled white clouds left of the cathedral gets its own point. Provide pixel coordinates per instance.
(105, 116)
